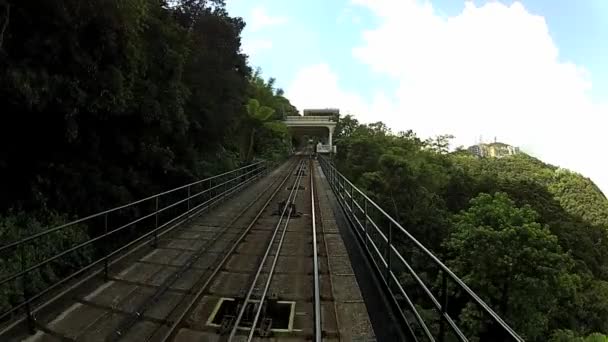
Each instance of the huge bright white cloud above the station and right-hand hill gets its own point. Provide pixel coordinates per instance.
(492, 70)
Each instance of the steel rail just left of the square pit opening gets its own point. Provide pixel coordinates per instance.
(173, 329)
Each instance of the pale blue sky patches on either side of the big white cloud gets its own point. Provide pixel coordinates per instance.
(321, 30)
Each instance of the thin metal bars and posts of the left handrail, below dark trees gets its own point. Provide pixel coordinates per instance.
(217, 187)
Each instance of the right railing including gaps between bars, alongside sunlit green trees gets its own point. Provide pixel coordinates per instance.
(394, 253)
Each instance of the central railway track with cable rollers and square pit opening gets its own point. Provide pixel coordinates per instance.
(261, 302)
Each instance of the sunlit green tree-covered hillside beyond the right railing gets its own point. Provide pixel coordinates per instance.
(529, 238)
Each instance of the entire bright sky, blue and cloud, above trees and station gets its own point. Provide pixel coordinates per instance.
(532, 73)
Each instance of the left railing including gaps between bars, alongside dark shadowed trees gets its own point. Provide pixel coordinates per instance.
(114, 231)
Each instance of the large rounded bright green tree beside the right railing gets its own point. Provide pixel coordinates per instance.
(512, 261)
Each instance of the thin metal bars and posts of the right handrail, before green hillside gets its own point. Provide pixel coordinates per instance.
(345, 190)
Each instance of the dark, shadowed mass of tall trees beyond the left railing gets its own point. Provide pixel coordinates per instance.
(105, 102)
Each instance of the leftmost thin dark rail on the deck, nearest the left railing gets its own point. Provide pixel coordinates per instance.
(137, 314)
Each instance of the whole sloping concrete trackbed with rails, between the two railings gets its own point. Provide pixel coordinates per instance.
(255, 268)
